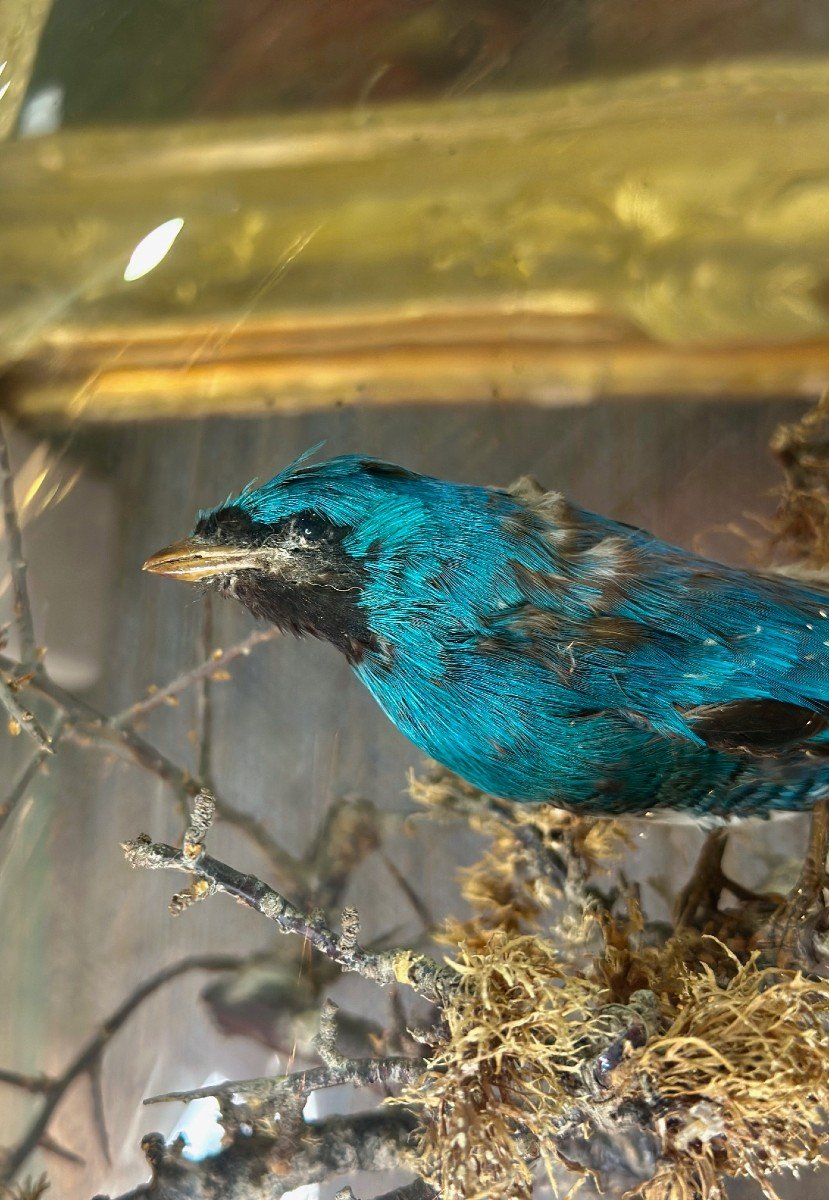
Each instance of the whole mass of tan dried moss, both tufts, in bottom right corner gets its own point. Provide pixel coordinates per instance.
(729, 1067)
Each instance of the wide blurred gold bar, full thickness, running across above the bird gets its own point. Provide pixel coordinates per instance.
(658, 233)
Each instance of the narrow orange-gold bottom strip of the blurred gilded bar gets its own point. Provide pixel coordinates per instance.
(551, 376)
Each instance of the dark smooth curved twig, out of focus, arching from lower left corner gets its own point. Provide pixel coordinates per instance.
(88, 1057)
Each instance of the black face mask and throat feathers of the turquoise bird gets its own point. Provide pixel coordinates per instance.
(319, 591)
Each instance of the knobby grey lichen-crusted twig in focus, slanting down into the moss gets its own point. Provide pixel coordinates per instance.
(386, 968)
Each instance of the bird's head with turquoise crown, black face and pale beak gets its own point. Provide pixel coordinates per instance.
(315, 550)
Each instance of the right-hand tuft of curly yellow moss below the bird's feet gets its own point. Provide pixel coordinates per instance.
(740, 1079)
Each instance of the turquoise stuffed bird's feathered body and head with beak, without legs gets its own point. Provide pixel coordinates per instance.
(542, 652)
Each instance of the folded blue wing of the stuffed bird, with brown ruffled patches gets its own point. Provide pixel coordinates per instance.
(710, 655)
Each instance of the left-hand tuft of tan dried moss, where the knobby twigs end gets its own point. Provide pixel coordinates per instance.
(519, 1034)
